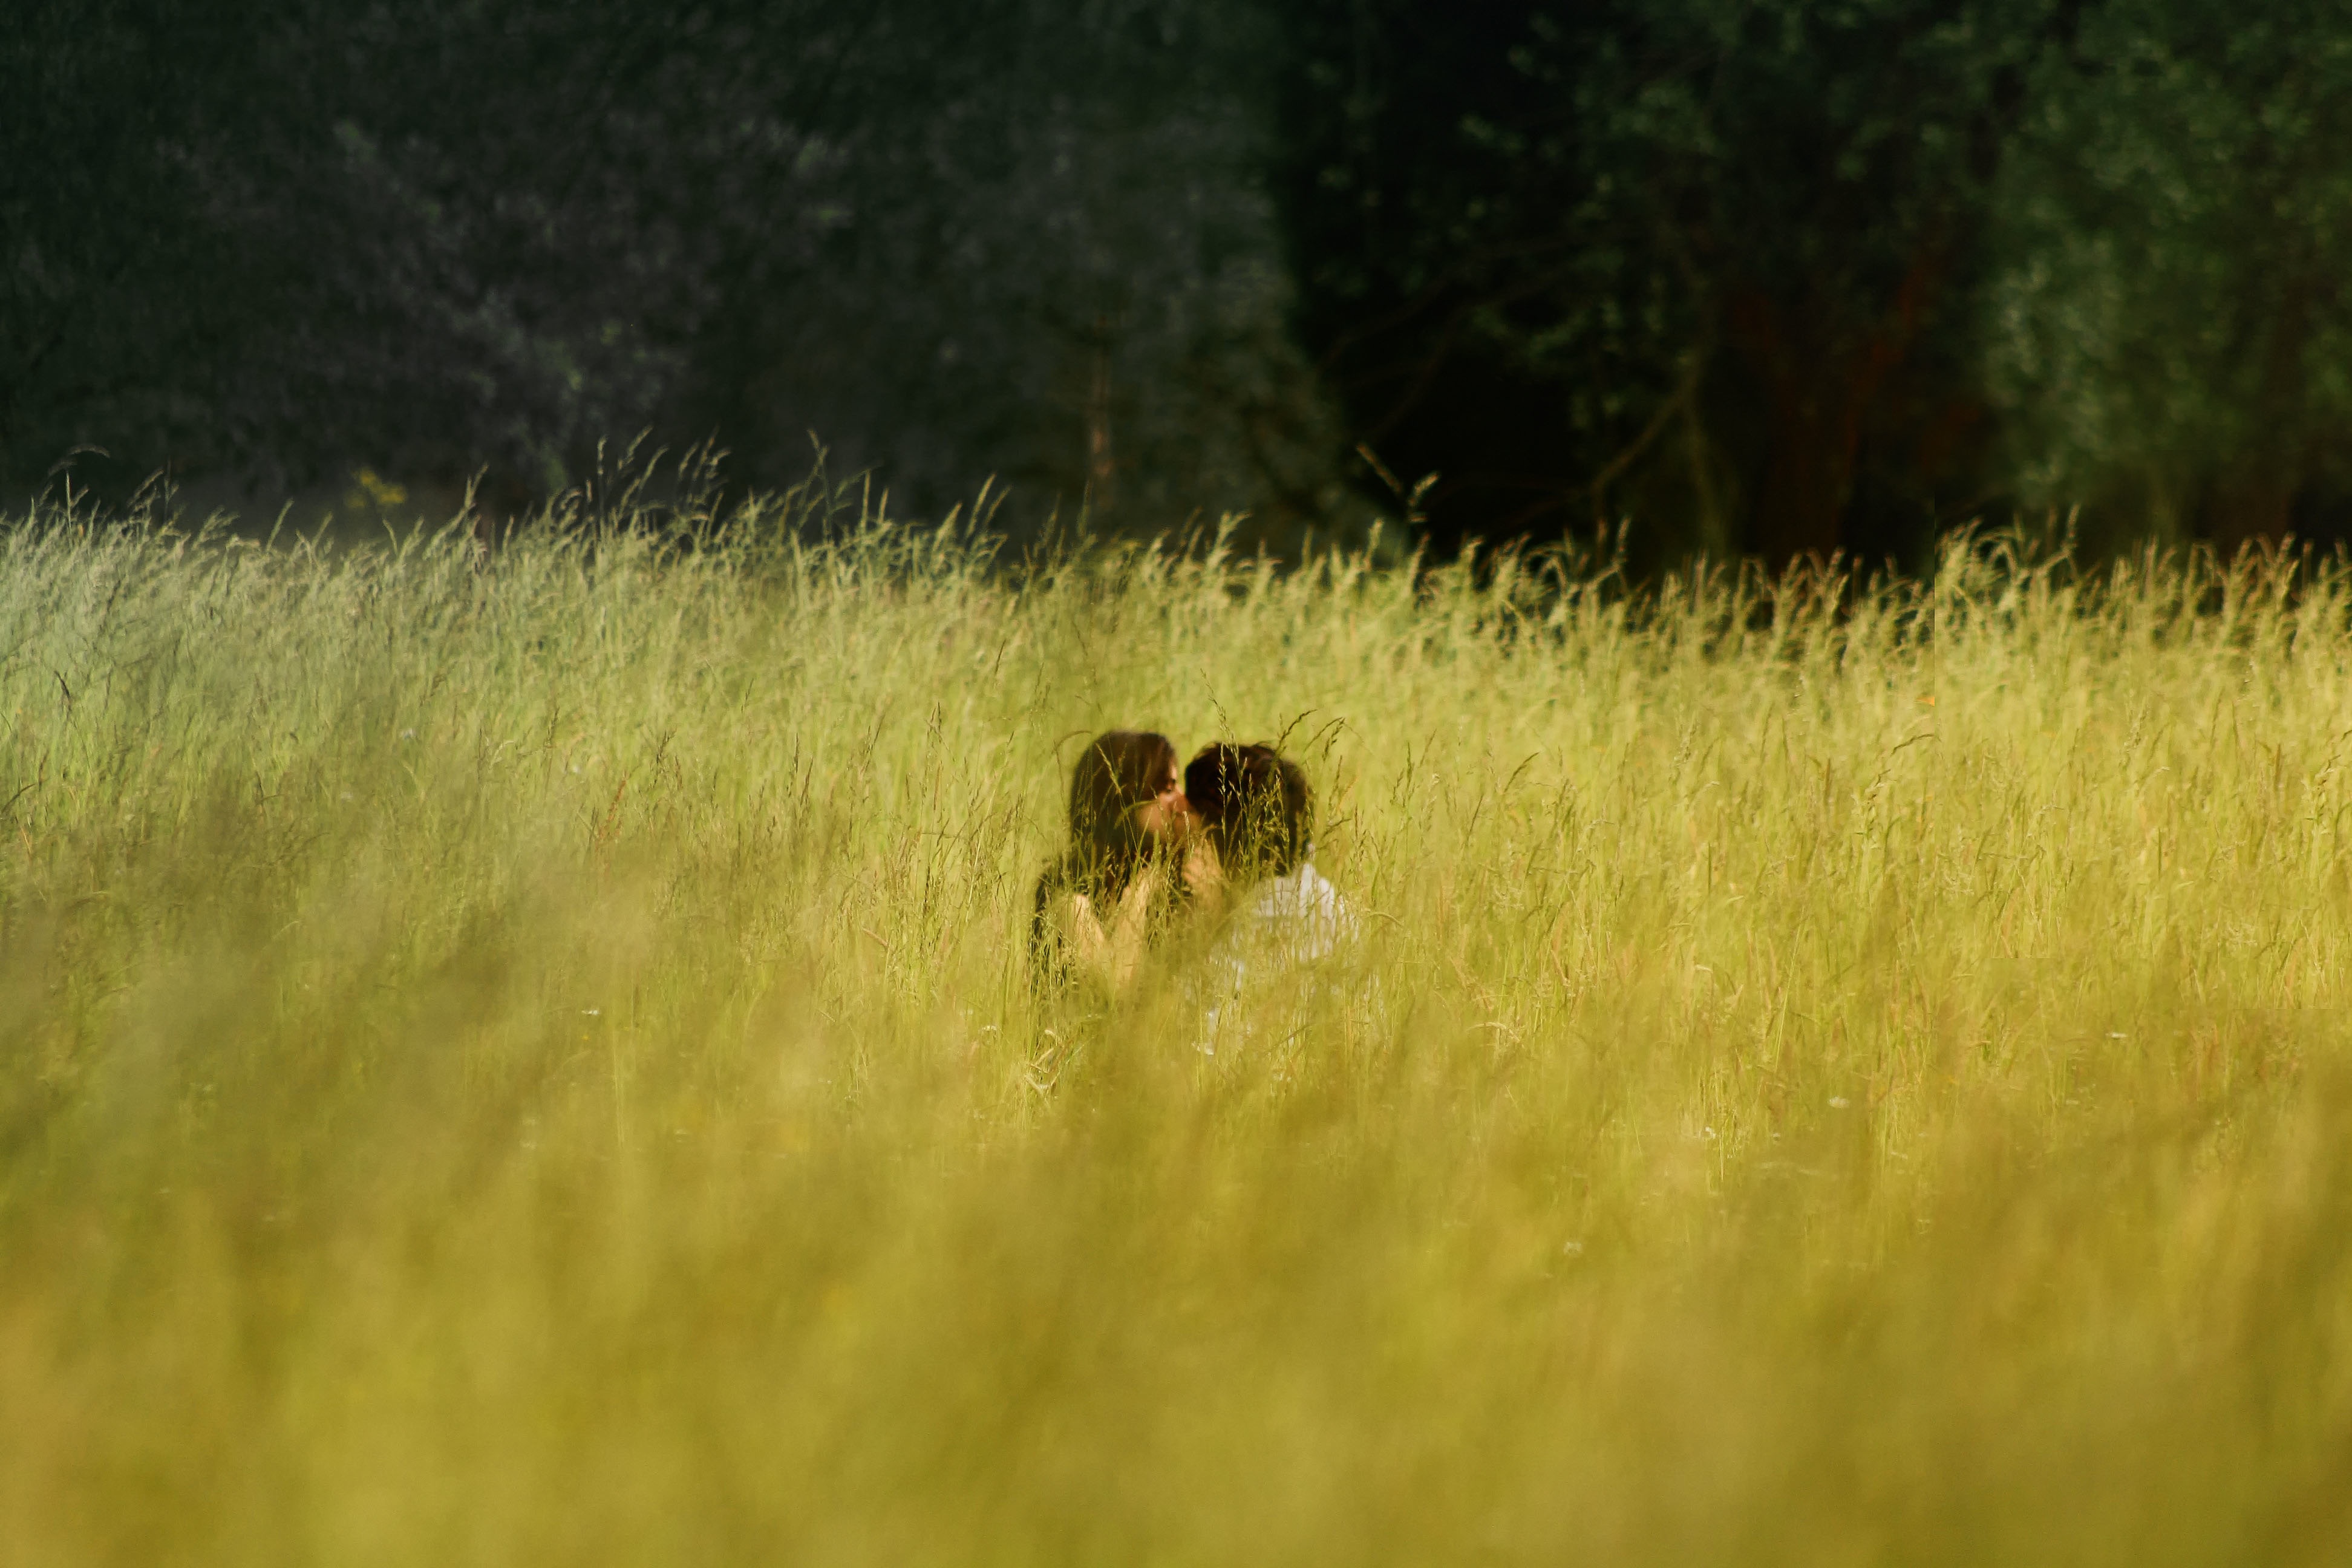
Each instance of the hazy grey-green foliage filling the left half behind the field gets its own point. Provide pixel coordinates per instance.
(949, 241)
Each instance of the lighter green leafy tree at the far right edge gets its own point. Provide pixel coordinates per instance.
(2172, 342)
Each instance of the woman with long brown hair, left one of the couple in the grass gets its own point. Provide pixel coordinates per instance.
(1114, 890)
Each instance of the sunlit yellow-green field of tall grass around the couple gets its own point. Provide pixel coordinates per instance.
(526, 1057)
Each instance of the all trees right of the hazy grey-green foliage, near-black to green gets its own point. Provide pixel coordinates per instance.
(1789, 276)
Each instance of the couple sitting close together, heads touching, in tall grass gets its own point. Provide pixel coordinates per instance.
(1217, 857)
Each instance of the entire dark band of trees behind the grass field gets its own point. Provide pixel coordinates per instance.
(1751, 276)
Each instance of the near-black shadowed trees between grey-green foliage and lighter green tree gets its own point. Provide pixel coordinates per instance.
(1720, 250)
